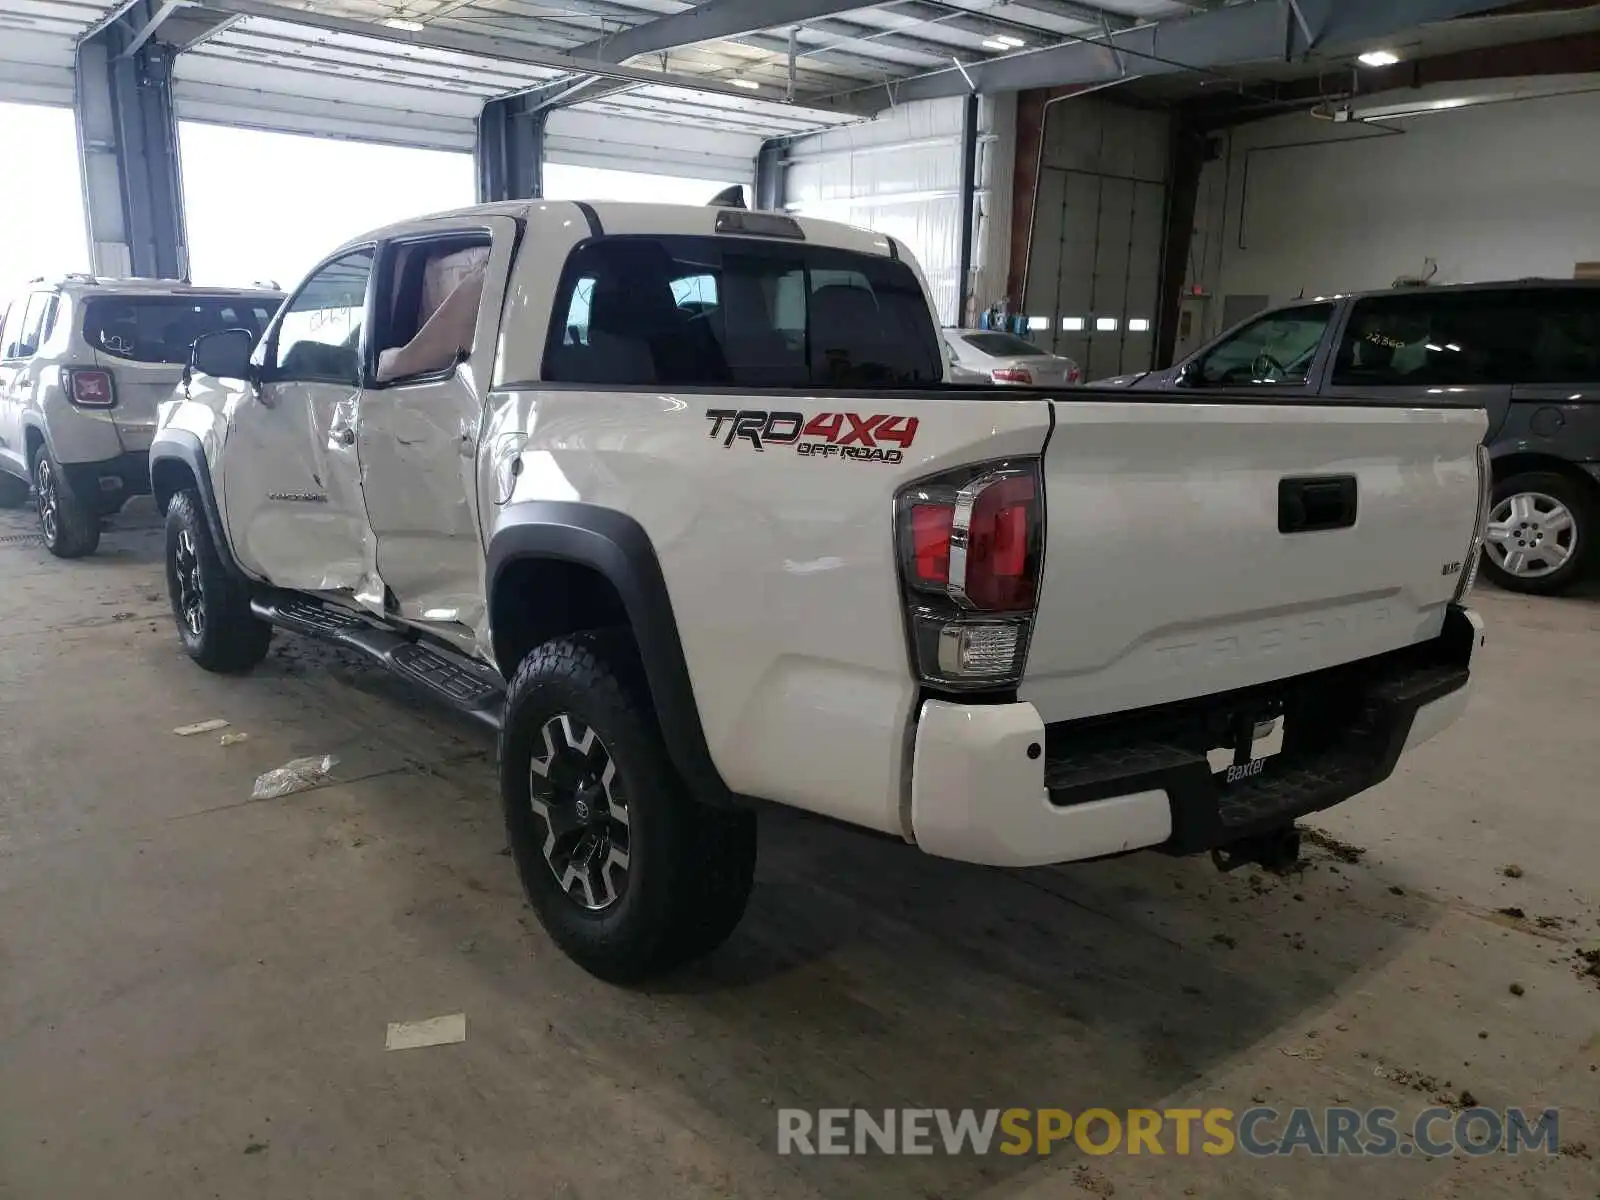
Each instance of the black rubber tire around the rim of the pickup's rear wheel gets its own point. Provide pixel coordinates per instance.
(690, 866)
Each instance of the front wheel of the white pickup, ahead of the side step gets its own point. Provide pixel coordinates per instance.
(212, 607)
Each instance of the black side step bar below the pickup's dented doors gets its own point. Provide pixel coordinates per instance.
(454, 679)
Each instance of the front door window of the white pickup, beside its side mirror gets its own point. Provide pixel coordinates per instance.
(319, 337)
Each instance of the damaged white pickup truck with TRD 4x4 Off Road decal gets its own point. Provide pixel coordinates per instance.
(678, 500)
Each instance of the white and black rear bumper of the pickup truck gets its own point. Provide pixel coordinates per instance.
(993, 783)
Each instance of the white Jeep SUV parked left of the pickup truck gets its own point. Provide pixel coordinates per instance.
(84, 364)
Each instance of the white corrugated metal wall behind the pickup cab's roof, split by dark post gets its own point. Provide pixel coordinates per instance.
(902, 175)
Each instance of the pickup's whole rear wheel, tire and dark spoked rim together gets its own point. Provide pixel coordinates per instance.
(628, 874)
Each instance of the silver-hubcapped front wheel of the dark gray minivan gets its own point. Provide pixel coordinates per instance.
(1538, 534)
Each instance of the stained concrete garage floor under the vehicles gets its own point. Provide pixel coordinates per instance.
(194, 988)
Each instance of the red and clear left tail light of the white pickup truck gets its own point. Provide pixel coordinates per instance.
(970, 553)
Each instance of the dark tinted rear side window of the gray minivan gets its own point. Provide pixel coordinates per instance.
(1463, 338)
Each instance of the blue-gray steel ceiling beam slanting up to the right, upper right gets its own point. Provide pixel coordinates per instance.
(1263, 31)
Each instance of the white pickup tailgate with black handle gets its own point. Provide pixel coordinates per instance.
(1167, 575)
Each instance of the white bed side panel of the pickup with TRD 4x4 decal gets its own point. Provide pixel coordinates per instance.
(780, 566)
